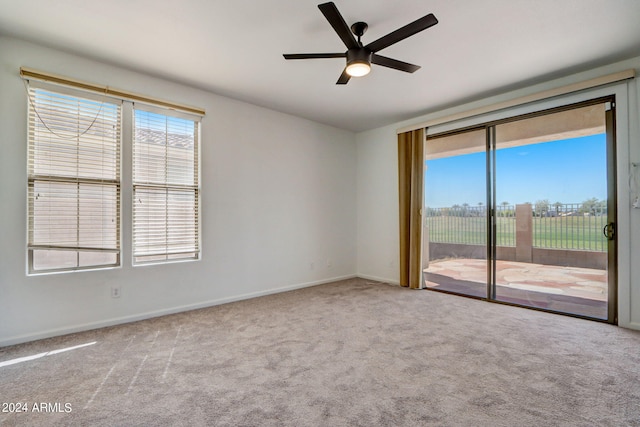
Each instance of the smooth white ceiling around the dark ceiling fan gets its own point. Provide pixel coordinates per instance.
(235, 47)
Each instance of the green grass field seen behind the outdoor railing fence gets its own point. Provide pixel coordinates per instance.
(571, 232)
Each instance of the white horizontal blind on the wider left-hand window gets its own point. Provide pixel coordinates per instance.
(73, 182)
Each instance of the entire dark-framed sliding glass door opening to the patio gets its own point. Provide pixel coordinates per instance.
(522, 211)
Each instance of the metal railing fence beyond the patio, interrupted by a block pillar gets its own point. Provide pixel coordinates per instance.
(574, 226)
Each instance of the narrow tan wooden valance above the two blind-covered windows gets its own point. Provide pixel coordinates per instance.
(28, 73)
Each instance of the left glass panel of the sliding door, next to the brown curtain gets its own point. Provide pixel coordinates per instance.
(455, 216)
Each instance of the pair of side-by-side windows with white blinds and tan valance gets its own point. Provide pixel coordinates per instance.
(77, 132)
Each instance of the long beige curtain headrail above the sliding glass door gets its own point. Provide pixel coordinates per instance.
(563, 90)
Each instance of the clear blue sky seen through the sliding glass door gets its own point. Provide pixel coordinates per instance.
(566, 171)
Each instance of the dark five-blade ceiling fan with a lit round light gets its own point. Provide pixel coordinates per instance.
(359, 57)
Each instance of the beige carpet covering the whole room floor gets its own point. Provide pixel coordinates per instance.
(351, 353)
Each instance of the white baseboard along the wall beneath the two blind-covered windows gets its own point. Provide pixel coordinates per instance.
(163, 312)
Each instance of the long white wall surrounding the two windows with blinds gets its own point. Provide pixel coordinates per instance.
(278, 193)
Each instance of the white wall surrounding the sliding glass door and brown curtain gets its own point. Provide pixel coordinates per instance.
(377, 247)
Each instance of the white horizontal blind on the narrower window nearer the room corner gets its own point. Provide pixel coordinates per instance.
(166, 189)
